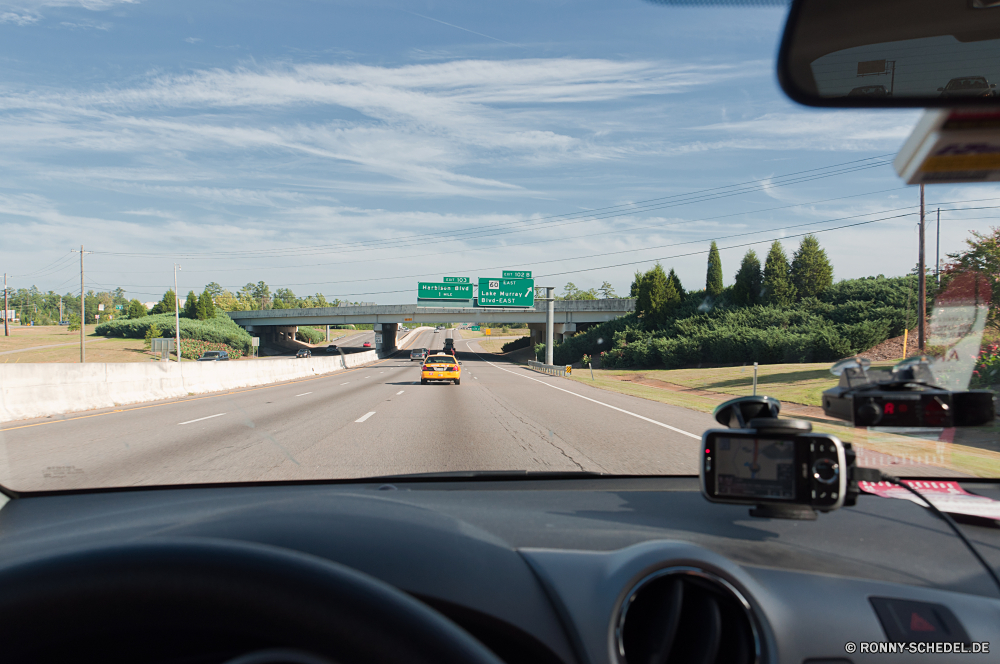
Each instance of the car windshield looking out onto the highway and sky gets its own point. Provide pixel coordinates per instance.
(264, 182)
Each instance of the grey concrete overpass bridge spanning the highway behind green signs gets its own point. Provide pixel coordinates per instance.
(568, 317)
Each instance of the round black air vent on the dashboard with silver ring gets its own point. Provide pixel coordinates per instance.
(683, 615)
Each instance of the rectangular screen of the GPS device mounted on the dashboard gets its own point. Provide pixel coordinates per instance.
(755, 468)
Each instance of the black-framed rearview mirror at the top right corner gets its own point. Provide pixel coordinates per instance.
(891, 53)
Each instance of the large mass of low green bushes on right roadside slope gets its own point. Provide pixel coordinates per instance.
(847, 318)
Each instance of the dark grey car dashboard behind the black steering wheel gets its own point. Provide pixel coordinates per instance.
(585, 570)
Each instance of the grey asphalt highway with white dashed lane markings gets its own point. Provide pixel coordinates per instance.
(372, 421)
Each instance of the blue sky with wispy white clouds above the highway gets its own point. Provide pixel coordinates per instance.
(354, 148)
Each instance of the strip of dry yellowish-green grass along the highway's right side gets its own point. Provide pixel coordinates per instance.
(952, 456)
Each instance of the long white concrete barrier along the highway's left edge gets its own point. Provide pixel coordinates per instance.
(40, 390)
